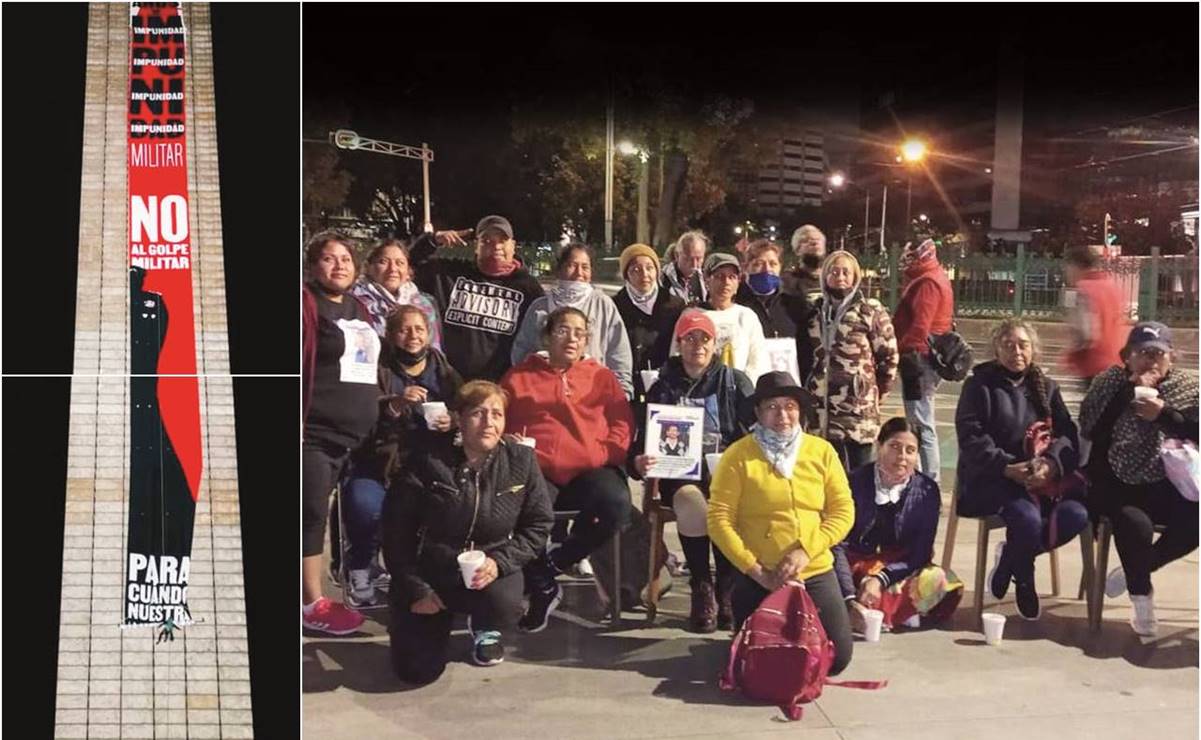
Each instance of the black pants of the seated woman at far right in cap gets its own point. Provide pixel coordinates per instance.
(1134, 511)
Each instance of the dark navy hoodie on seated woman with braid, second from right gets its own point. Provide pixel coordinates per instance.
(991, 421)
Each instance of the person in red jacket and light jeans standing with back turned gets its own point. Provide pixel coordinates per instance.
(925, 309)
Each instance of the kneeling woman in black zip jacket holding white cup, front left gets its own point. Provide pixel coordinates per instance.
(487, 496)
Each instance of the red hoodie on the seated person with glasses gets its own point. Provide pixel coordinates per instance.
(579, 417)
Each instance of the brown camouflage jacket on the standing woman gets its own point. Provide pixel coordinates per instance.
(855, 365)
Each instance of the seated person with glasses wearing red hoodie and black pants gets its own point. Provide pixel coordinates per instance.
(579, 420)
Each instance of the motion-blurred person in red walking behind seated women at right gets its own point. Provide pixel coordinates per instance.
(1098, 323)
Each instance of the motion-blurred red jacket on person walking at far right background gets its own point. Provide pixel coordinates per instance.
(1102, 325)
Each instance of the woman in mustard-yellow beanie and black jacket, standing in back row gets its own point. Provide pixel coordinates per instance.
(648, 312)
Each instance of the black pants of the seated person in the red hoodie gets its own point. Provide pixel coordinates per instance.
(602, 497)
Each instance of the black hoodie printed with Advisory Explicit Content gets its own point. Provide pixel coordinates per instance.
(481, 314)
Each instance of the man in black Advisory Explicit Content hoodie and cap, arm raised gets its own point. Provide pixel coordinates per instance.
(483, 302)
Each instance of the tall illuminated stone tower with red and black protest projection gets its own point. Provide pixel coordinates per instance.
(151, 681)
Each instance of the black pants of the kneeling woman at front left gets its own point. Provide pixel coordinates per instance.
(421, 642)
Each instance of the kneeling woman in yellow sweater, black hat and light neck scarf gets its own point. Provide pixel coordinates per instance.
(779, 503)
